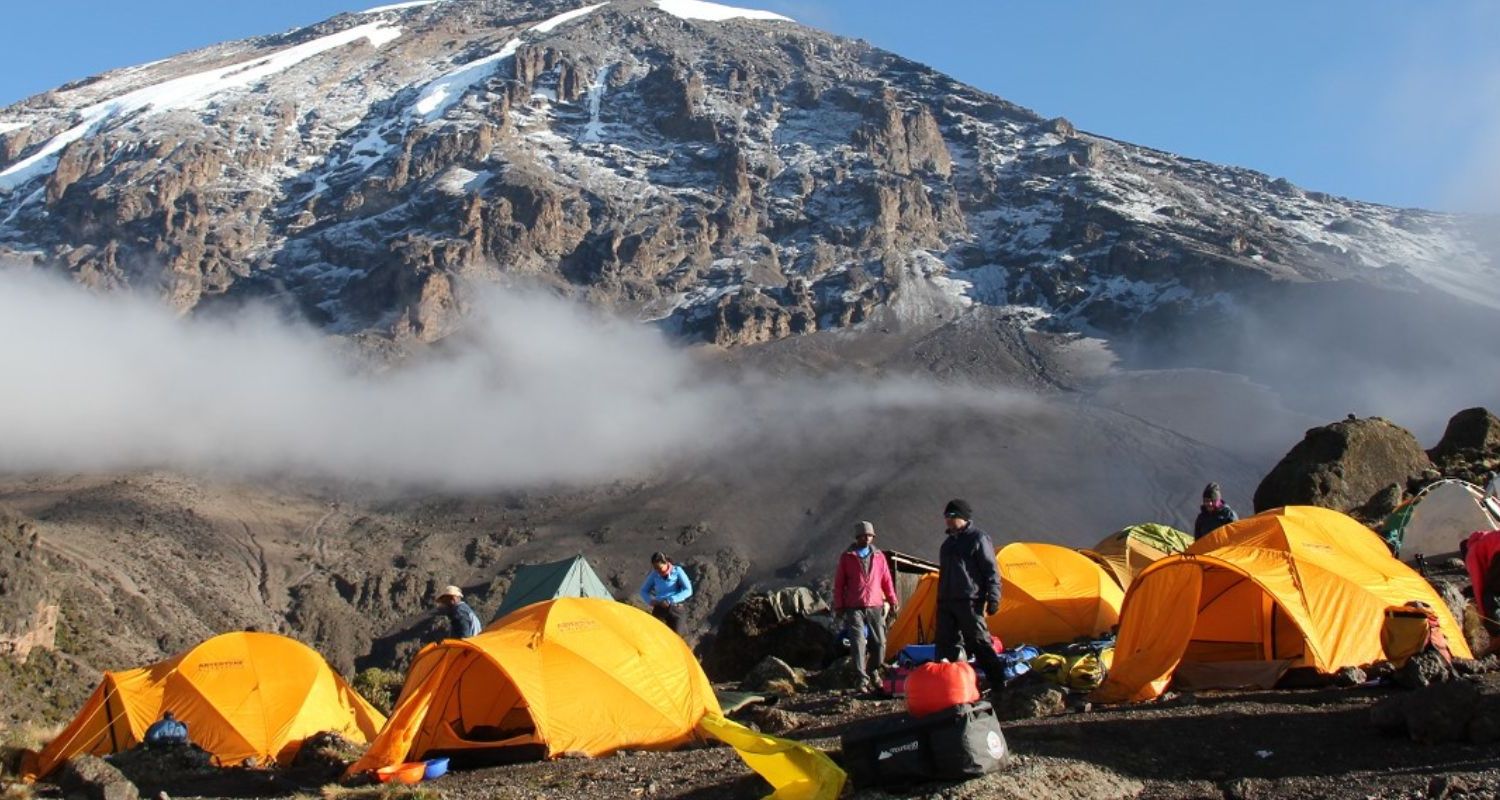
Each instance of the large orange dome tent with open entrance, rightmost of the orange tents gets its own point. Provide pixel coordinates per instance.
(1288, 588)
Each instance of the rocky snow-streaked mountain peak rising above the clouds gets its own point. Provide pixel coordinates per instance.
(730, 173)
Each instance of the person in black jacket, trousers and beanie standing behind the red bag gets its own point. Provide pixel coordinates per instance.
(968, 592)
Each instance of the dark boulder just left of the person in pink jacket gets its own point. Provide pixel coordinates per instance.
(791, 625)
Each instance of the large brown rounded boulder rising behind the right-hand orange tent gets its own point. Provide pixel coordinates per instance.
(1342, 466)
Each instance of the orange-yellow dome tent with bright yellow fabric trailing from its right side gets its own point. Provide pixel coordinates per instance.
(577, 676)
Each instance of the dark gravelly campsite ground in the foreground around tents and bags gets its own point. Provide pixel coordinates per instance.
(1232, 745)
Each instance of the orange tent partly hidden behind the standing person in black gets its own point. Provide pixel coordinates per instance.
(1049, 595)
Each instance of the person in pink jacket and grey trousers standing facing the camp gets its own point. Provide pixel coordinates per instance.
(863, 595)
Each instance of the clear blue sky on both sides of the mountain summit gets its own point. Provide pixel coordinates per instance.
(1387, 101)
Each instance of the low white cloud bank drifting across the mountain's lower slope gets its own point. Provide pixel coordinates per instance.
(536, 391)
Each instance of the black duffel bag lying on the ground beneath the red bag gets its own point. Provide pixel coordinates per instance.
(952, 745)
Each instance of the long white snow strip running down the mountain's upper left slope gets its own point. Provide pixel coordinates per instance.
(187, 92)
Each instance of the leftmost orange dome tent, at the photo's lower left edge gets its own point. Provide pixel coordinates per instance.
(242, 696)
